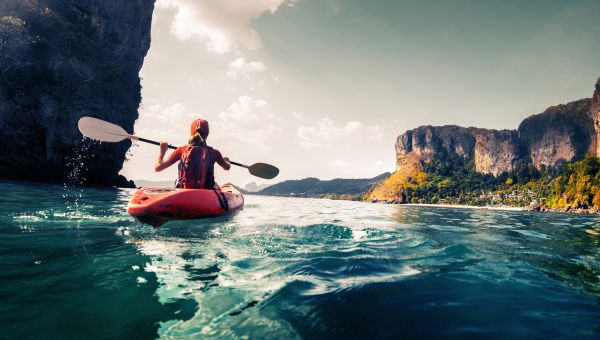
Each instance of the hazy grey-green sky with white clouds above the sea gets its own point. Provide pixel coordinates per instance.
(322, 88)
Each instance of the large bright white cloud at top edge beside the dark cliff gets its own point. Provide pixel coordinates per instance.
(222, 24)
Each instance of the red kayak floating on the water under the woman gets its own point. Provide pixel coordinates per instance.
(157, 206)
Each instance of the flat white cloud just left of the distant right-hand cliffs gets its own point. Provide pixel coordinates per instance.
(326, 131)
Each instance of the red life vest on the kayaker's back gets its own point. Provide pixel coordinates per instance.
(196, 168)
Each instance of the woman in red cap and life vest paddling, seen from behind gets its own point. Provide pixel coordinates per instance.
(196, 159)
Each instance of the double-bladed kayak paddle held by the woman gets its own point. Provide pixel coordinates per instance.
(104, 131)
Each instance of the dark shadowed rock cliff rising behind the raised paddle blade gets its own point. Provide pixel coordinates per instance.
(61, 60)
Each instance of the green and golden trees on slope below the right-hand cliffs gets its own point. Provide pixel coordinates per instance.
(571, 186)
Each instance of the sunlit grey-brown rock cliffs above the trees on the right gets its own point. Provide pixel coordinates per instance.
(560, 133)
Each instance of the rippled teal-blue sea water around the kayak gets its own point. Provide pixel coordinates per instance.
(73, 264)
